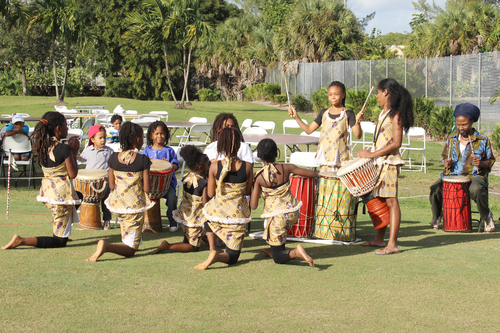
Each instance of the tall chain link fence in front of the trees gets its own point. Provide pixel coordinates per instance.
(449, 80)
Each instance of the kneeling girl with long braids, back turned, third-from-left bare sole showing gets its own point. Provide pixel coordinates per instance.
(228, 212)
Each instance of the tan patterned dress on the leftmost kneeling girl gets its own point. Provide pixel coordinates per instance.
(59, 196)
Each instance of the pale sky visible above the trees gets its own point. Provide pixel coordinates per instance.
(390, 15)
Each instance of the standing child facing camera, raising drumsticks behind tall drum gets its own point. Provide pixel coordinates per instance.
(333, 147)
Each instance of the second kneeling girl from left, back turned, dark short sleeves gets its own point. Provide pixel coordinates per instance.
(129, 181)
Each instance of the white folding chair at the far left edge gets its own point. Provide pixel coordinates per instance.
(17, 144)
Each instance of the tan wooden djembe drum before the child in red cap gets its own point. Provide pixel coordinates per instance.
(92, 183)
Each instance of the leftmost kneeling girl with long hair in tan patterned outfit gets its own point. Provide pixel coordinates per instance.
(58, 163)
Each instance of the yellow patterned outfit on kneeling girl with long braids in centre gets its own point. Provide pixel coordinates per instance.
(228, 211)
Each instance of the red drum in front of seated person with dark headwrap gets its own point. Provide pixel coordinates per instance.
(456, 204)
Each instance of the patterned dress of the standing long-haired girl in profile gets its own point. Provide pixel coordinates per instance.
(387, 185)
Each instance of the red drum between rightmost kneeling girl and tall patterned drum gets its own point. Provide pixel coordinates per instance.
(303, 190)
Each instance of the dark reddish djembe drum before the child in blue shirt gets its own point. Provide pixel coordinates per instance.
(161, 173)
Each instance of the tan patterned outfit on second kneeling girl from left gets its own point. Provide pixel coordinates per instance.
(129, 202)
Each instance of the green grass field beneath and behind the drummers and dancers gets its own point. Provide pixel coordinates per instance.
(439, 282)
